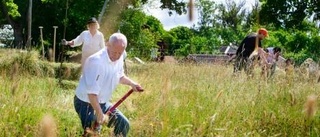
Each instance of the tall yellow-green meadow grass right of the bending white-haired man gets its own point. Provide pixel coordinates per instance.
(207, 100)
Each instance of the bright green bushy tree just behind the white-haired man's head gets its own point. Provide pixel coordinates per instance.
(143, 32)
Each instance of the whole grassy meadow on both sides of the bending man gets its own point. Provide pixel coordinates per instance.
(180, 100)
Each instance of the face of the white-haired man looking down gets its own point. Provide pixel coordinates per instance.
(115, 51)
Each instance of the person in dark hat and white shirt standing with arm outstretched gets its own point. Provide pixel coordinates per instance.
(92, 40)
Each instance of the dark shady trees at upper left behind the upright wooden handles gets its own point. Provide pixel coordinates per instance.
(48, 13)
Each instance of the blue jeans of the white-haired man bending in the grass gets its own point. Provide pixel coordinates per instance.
(87, 117)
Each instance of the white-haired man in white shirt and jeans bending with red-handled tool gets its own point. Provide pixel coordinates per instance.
(102, 72)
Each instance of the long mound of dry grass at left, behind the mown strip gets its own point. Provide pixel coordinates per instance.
(15, 62)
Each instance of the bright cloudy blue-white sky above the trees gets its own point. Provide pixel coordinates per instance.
(178, 20)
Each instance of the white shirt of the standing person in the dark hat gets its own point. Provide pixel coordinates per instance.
(91, 44)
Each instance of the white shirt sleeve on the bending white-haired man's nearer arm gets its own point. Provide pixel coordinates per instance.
(92, 74)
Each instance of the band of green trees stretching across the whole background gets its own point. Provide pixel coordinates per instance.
(291, 24)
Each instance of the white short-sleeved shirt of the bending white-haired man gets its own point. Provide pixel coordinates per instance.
(100, 76)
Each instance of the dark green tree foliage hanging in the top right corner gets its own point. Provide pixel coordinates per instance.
(288, 13)
